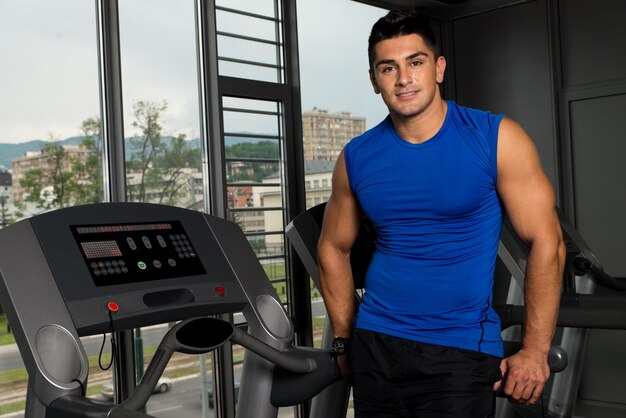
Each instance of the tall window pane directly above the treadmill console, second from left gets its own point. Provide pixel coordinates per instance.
(159, 72)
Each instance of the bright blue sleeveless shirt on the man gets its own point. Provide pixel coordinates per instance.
(438, 220)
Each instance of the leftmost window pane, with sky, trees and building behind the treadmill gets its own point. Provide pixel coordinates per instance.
(50, 138)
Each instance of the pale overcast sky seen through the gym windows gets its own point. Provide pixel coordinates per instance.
(48, 76)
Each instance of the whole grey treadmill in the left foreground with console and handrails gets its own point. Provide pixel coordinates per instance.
(110, 267)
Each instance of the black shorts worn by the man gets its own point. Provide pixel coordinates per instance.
(394, 377)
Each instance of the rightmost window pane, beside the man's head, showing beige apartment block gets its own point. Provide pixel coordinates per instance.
(323, 30)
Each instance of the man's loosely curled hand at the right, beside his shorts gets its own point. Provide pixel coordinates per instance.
(526, 375)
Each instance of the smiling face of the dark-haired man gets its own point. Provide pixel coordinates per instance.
(406, 74)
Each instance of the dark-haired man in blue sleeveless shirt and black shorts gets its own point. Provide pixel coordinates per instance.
(434, 178)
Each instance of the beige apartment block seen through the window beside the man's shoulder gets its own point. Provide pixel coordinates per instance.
(324, 134)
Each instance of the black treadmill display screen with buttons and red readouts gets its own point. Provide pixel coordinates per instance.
(126, 253)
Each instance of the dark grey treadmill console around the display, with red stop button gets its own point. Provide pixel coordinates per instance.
(127, 265)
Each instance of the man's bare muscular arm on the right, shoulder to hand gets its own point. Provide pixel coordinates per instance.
(529, 202)
